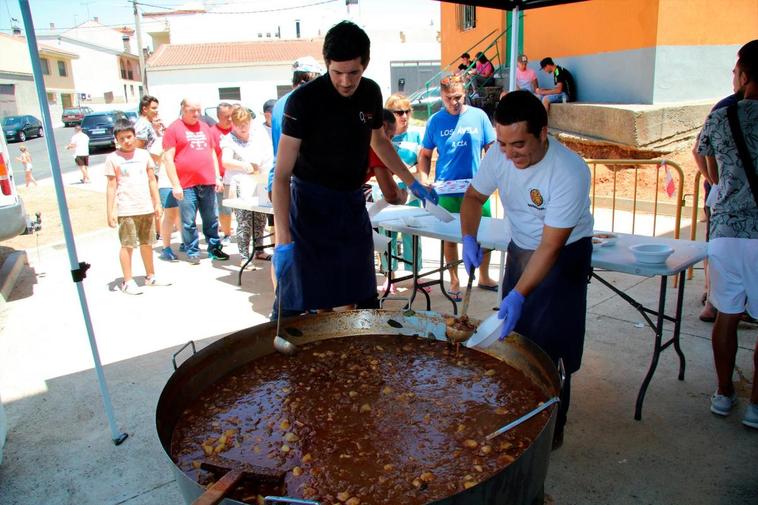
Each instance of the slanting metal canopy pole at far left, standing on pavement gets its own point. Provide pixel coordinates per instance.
(78, 270)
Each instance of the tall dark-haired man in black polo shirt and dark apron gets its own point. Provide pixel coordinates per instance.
(324, 255)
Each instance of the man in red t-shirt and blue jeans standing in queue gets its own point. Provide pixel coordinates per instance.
(192, 167)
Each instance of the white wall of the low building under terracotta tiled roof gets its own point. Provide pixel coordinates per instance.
(257, 84)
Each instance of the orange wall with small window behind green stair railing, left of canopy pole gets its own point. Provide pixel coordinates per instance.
(455, 41)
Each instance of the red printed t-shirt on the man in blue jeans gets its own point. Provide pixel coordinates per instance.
(195, 148)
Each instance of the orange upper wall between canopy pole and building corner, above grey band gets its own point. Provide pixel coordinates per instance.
(590, 27)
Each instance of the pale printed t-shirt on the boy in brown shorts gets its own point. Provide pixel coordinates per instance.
(133, 189)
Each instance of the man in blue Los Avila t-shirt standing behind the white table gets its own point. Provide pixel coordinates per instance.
(459, 133)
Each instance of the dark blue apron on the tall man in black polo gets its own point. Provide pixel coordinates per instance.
(334, 250)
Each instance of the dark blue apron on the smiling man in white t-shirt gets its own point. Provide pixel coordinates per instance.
(554, 313)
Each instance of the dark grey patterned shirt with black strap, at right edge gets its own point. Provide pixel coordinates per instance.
(734, 213)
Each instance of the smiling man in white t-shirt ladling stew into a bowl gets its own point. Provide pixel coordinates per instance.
(544, 188)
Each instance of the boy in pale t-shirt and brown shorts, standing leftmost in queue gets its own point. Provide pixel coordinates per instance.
(132, 204)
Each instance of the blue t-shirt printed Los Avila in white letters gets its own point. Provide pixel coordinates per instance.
(459, 141)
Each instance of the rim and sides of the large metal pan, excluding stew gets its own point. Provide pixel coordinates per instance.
(520, 483)
